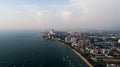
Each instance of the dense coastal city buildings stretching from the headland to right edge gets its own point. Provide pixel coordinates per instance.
(102, 49)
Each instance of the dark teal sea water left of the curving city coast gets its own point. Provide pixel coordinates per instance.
(29, 49)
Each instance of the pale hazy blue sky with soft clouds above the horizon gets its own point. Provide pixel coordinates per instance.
(60, 14)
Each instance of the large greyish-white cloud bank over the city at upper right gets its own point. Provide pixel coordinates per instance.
(98, 14)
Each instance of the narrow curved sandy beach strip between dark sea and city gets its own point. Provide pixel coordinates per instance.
(78, 54)
